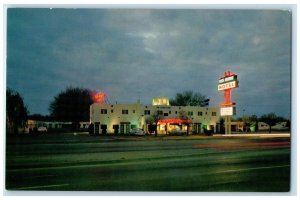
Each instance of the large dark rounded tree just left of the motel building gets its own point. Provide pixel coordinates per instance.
(73, 105)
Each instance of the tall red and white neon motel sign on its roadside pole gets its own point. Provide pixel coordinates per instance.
(226, 84)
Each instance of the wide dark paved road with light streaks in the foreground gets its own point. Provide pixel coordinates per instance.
(86, 163)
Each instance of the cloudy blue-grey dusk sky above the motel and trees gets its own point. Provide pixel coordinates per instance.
(132, 53)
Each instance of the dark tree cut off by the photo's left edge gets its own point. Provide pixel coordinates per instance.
(16, 111)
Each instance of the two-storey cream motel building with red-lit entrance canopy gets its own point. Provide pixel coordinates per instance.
(122, 118)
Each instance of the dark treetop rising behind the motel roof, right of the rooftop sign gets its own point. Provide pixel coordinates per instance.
(188, 98)
